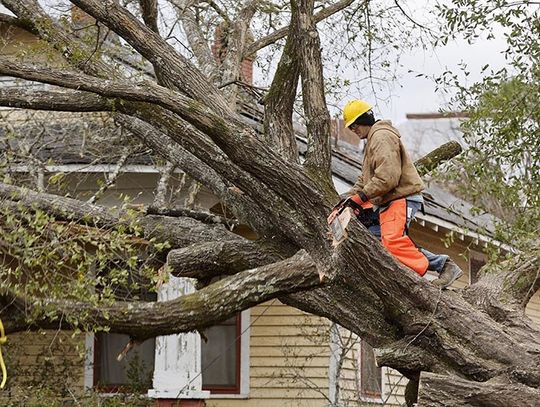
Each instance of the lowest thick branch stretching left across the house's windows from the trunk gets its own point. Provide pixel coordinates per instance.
(196, 311)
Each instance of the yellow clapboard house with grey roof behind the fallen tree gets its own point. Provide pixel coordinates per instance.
(269, 355)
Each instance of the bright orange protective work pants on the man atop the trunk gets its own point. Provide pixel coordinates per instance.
(394, 237)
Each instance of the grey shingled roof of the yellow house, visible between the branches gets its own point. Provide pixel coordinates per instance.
(441, 208)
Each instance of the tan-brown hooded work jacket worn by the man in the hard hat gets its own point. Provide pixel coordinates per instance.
(388, 172)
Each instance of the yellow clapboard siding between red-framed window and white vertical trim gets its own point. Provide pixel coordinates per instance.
(289, 357)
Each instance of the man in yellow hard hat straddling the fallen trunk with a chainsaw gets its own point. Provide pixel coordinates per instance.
(391, 186)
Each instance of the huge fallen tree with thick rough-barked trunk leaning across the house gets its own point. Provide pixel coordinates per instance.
(479, 335)
